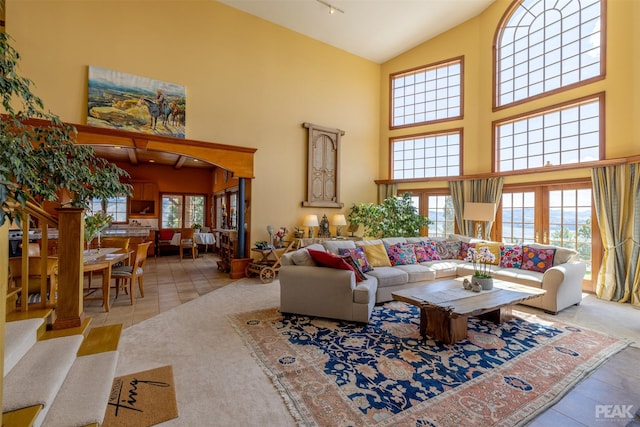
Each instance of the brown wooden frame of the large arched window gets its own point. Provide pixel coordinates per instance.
(496, 52)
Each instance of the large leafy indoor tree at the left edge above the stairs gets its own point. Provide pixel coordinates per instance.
(39, 160)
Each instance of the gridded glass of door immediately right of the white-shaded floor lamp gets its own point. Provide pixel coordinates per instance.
(518, 217)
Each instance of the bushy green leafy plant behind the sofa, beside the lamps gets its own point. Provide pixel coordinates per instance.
(394, 217)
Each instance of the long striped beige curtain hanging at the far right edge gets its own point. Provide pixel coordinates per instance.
(616, 192)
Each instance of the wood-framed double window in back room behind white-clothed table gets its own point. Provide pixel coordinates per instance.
(182, 211)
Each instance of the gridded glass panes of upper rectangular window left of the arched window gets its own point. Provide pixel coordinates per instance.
(428, 94)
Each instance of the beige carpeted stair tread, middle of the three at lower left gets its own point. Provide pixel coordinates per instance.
(37, 377)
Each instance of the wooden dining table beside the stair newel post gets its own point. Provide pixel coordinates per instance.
(102, 260)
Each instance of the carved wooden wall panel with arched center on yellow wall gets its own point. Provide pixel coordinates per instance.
(323, 146)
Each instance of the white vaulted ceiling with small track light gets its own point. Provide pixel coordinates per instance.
(377, 30)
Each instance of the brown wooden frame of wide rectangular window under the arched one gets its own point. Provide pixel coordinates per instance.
(599, 97)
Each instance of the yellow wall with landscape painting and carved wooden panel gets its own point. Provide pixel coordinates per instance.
(249, 83)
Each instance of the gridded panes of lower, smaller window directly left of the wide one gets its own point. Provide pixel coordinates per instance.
(427, 156)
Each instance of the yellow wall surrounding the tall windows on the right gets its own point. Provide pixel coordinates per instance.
(474, 39)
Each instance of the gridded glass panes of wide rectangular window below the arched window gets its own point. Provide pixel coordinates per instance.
(560, 137)
